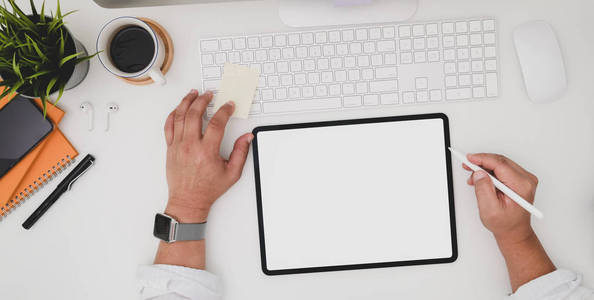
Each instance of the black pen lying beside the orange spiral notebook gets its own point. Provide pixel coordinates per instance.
(64, 186)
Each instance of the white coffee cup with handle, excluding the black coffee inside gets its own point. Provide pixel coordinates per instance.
(108, 32)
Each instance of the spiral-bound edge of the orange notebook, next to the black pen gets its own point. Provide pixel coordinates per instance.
(41, 181)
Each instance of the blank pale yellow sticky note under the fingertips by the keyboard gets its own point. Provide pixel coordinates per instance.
(238, 85)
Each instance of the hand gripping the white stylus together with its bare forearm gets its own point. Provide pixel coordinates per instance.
(525, 257)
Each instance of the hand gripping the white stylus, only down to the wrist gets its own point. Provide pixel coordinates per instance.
(508, 221)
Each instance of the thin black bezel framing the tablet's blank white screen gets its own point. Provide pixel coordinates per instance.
(447, 154)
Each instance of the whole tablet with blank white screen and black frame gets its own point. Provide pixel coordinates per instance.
(354, 194)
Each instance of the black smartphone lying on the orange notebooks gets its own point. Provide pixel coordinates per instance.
(22, 127)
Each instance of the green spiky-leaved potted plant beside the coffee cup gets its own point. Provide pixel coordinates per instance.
(39, 56)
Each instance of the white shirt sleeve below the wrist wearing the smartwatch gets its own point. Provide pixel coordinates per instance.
(166, 282)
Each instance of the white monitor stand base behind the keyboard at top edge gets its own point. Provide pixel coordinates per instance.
(309, 13)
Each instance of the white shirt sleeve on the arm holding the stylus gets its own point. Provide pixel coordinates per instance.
(557, 285)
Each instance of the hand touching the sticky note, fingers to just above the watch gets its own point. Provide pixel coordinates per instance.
(196, 173)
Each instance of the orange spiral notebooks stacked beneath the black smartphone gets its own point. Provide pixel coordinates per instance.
(42, 164)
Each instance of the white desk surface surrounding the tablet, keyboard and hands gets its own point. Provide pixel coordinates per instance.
(89, 244)
